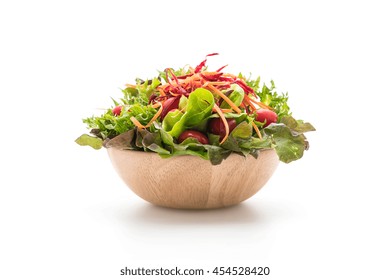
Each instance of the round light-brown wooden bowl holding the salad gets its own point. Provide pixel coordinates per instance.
(190, 182)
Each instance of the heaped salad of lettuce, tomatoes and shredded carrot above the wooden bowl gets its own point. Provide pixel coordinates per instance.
(194, 111)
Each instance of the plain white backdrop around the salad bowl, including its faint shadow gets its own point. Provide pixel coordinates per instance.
(66, 215)
